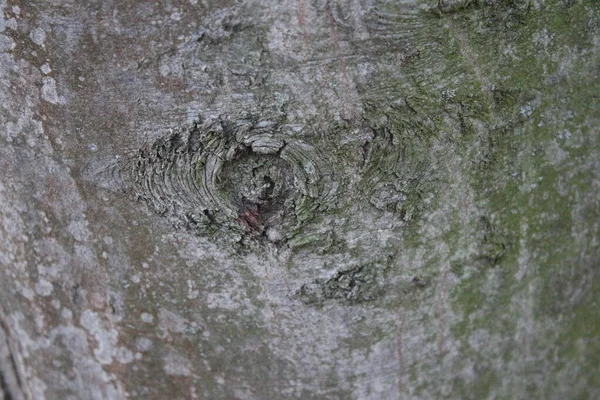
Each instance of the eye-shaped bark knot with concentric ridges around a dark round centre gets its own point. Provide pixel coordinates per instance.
(231, 175)
